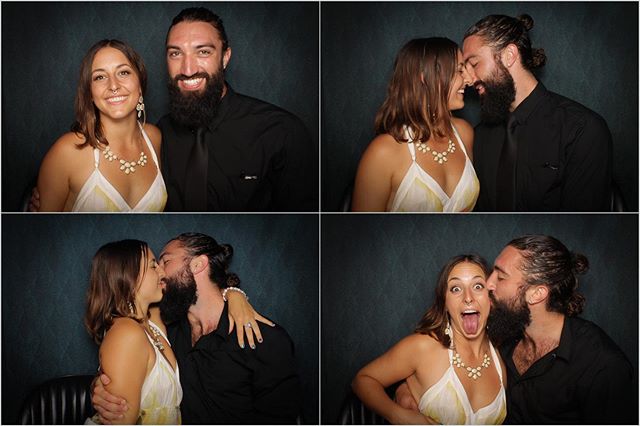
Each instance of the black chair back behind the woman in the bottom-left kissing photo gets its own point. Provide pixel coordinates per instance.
(65, 400)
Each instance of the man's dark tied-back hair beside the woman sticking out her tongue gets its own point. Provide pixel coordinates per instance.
(545, 260)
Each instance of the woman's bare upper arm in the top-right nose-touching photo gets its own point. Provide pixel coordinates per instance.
(372, 187)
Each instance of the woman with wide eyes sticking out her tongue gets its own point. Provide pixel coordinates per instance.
(451, 367)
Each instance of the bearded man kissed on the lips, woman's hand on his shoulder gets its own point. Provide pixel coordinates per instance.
(222, 382)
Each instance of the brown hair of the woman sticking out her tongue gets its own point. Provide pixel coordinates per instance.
(435, 320)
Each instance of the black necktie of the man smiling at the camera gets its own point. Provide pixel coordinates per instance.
(196, 176)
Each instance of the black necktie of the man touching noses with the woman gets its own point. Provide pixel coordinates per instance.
(506, 183)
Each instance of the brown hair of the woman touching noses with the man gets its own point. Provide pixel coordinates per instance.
(418, 93)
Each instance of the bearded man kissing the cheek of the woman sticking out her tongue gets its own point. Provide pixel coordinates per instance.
(560, 368)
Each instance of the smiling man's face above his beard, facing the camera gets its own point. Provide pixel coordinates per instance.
(194, 53)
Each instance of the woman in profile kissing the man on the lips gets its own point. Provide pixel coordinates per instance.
(134, 351)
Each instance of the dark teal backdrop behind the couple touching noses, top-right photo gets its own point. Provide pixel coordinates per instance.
(592, 58)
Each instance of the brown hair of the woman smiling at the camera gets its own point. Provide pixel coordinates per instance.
(87, 119)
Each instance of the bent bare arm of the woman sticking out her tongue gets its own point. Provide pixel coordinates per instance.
(398, 363)
